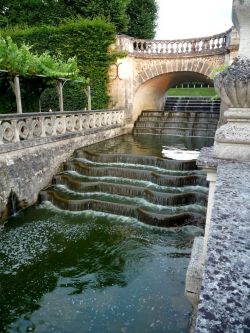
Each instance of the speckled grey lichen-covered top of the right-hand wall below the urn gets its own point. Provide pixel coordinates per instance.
(224, 304)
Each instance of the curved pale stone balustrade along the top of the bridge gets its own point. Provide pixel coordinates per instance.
(205, 45)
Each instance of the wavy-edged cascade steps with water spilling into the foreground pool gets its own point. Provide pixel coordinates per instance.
(156, 191)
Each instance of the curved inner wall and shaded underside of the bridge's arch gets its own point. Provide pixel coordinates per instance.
(151, 95)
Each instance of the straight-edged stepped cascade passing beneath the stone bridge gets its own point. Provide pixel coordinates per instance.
(182, 116)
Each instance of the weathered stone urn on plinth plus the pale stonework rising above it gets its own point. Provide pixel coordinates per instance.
(232, 140)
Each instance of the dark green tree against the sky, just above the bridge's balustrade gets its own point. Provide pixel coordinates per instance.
(142, 15)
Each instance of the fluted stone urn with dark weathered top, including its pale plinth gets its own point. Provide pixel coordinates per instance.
(232, 140)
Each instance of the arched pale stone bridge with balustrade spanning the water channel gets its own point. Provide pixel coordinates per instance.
(140, 80)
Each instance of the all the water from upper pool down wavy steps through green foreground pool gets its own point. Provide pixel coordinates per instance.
(91, 256)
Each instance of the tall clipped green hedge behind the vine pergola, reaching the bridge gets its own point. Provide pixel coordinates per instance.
(88, 41)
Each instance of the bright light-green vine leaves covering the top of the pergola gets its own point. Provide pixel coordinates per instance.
(20, 60)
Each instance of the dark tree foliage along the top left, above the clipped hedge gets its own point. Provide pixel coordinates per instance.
(53, 12)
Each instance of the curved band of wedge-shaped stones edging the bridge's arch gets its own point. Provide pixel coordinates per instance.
(175, 65)
